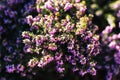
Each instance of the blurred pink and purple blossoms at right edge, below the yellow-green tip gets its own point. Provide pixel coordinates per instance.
(112, 52)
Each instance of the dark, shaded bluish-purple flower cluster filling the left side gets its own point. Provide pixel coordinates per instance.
(12, 22)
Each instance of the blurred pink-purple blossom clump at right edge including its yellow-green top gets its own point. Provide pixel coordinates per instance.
(111, 46)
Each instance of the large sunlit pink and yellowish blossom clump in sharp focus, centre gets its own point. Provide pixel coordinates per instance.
(63, 33)
